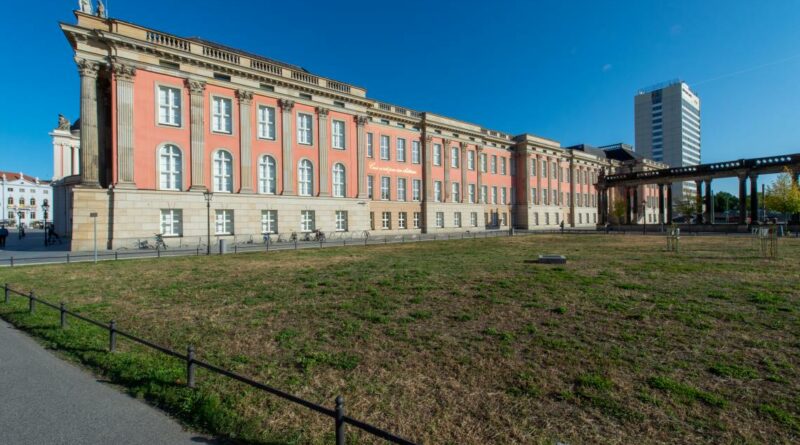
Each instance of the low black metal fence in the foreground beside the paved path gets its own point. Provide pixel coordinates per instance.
(337, 413)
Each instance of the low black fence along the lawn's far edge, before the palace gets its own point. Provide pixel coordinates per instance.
(273, 246)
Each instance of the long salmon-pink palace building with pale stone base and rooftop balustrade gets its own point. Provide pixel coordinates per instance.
(164, 119)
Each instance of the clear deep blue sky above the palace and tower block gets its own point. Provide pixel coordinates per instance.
(565, 70)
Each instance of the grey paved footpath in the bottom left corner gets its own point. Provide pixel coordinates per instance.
(45, 400)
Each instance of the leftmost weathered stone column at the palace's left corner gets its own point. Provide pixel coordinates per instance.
(90, 138)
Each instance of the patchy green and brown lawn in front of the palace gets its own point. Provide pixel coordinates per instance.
(457, 342)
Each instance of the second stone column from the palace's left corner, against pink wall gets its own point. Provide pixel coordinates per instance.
(123, 76)
